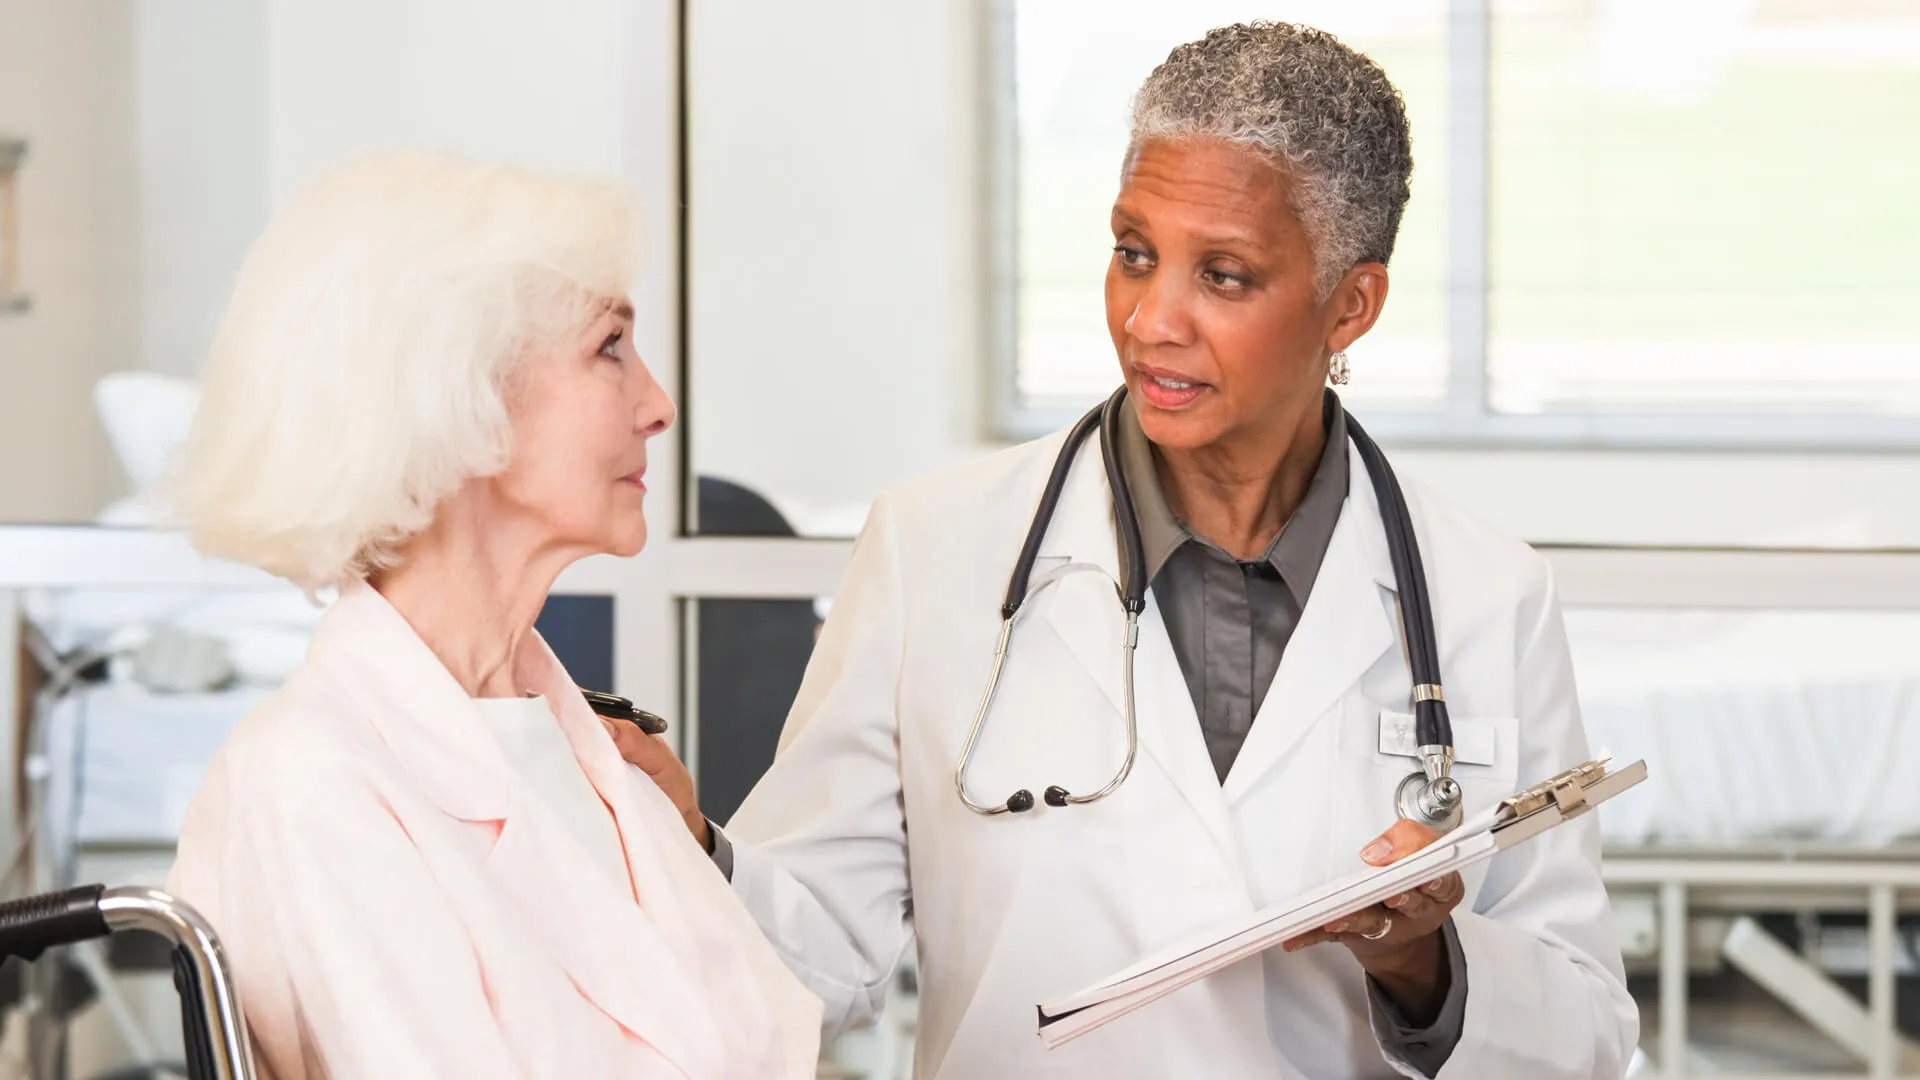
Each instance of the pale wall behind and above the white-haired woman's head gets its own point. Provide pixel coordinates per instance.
(164, 132)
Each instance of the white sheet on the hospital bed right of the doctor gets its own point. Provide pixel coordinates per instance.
(1758, 727)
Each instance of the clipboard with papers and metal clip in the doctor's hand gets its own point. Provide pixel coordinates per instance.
(1512, 822)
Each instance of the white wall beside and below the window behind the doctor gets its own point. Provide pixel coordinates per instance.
(836, 326)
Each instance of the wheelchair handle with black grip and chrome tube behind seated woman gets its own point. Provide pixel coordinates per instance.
(218, 1046)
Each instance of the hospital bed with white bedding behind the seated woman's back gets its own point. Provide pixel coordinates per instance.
(130, 660)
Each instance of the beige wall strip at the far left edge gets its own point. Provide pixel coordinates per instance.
(66, 89)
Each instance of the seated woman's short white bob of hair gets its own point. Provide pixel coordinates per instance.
(368, 358)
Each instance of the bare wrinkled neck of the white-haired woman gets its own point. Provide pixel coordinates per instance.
(471, 587)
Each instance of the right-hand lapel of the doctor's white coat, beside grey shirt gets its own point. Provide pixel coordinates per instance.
(1345, 629)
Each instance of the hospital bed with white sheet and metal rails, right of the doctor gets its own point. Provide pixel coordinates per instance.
(1779, 835)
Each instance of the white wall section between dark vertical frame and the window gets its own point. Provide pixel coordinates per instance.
(834, 245)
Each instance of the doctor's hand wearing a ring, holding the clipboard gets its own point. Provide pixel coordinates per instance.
(1399, 943)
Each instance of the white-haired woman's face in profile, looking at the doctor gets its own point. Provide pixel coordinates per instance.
(583, 416)
